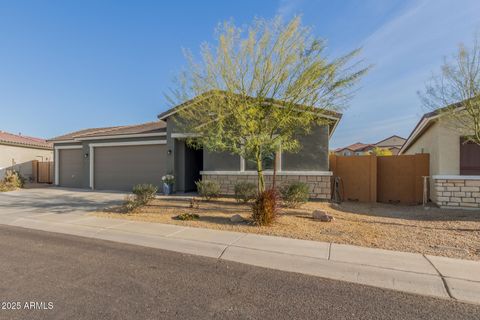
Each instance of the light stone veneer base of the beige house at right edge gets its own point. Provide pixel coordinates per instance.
(456, 191)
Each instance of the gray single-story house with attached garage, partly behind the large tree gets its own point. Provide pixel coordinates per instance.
(116, 158)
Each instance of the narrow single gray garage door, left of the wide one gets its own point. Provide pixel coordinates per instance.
(70, 168)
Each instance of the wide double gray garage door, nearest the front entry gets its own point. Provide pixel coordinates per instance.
(120, 168)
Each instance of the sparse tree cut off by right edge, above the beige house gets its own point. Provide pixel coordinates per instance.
(454, 93)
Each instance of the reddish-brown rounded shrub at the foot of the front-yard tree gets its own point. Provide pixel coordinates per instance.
(265, 208)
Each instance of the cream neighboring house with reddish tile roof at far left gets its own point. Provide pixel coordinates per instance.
(18, 151)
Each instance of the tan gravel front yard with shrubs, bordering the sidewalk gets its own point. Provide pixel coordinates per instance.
(451, 233)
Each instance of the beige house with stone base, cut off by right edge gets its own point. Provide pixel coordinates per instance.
(454, 164)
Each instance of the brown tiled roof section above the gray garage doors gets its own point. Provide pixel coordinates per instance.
(137, 129)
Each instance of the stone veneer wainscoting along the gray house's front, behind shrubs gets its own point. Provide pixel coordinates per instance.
(319, 183)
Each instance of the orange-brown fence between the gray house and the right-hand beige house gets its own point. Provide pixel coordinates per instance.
(388, 179)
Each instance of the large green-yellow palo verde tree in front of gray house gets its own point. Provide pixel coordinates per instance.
(252, 92)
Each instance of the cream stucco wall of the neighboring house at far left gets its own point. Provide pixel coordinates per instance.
(21, 158)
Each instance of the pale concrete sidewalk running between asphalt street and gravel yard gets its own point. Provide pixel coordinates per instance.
(409, 272)
